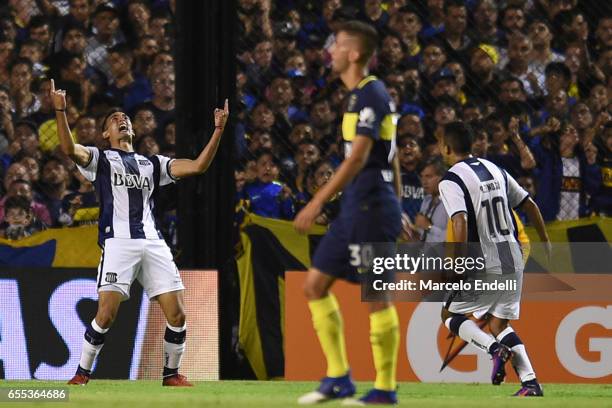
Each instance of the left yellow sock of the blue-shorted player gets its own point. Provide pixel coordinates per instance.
(327, 322)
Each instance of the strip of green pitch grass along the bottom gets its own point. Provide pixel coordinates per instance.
(115, 394)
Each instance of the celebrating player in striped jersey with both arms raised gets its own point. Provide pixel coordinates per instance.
(132, 246)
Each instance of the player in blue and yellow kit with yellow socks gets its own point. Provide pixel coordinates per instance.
(370, 212)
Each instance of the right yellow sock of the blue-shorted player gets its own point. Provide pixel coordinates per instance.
(384, 337)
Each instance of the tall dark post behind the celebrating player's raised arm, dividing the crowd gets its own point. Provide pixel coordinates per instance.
(205, 76)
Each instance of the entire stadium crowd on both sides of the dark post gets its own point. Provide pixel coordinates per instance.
(532, 77)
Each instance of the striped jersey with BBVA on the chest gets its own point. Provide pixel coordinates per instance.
(125, 183)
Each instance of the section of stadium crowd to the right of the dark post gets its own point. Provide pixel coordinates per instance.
(533, 78)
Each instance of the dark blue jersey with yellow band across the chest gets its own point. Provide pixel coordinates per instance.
(371, 113)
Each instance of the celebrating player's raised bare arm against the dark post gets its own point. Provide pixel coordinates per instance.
(186, 167)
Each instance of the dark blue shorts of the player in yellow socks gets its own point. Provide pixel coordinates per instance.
(376, 222)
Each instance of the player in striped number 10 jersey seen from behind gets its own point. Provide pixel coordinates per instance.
(479, 197)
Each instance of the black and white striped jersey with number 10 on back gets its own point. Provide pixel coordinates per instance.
(487, 194)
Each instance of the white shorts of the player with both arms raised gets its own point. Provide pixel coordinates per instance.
(148, 260)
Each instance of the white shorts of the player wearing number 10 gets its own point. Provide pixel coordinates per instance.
(501, 304)
